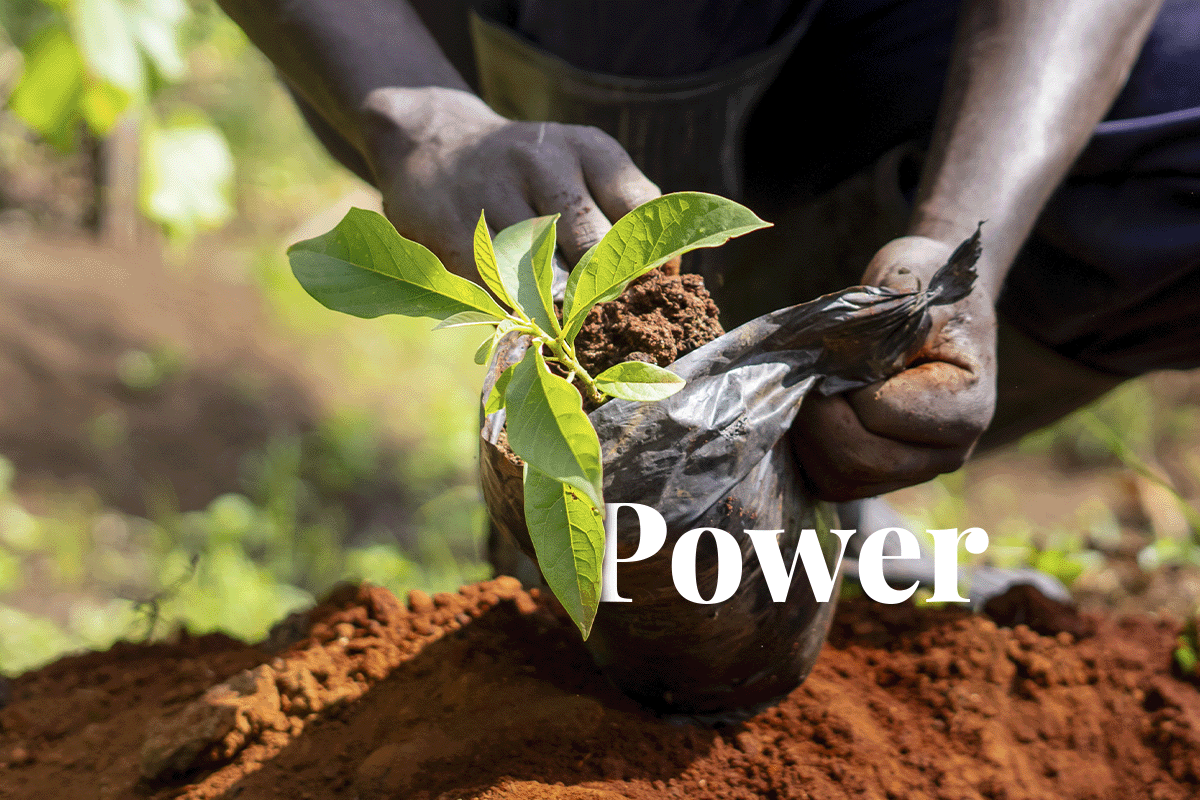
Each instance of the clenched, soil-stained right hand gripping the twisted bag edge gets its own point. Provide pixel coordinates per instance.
(927, 419)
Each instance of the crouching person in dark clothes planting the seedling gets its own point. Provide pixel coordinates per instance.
(791, 105)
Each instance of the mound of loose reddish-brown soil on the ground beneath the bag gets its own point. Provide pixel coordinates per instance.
(489, 694)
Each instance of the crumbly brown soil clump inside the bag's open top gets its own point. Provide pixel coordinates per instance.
(658, 320)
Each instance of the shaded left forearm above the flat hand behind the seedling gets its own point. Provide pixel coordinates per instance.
(337, 53)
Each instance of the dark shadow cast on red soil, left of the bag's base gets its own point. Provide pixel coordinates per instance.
(509, 697)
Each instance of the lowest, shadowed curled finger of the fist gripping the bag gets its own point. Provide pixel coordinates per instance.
(844, 461)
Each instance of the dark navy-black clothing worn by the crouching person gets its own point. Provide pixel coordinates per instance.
(1112, 274)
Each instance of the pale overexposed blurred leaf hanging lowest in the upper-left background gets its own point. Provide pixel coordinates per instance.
(188, 176)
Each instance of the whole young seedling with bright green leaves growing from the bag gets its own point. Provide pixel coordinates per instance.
(367, 269)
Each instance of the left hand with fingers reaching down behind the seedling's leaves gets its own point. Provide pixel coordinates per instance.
(441, 155)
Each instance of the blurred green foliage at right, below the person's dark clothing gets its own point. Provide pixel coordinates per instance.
(1121, 435)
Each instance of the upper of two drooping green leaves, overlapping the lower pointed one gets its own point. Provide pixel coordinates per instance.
(549, 429)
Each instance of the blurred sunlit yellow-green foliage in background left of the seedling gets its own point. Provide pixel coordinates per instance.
(385, 488)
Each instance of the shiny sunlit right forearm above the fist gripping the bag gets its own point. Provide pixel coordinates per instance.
(1029, 82)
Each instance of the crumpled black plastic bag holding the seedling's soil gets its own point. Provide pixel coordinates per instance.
(716, 455)
